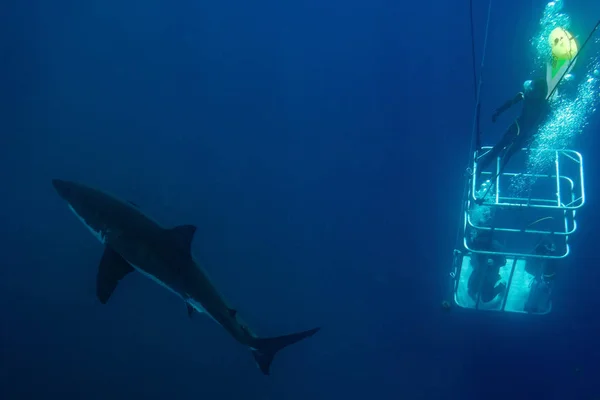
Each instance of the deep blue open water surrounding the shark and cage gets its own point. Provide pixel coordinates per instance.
(319, 147)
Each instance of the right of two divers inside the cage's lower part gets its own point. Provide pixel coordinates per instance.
(543, 271)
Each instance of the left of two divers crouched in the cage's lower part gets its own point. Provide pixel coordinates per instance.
(485, 278)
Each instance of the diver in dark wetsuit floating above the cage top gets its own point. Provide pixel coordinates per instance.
(521, 132)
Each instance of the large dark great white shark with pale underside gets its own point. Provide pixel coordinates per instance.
(135, 242)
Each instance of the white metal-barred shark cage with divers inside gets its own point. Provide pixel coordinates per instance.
(515, 230)
